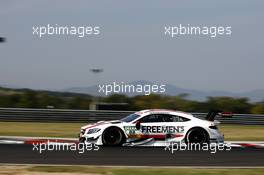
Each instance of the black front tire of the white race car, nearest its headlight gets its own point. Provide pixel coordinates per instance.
(113, 136)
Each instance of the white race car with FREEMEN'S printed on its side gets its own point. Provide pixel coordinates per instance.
(154, 127)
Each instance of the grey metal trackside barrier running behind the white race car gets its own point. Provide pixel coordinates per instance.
(65, 115)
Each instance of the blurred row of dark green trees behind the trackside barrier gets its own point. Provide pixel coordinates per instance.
(26, 98)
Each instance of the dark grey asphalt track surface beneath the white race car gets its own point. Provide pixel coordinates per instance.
(132, 156)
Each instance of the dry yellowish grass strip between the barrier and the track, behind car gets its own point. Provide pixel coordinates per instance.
(231, 132)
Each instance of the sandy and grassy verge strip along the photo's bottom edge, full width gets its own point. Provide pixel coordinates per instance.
(74, 170)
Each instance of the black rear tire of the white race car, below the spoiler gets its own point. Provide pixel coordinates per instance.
(197, 135)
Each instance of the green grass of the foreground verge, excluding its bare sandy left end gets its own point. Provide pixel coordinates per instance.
(145, 171)
